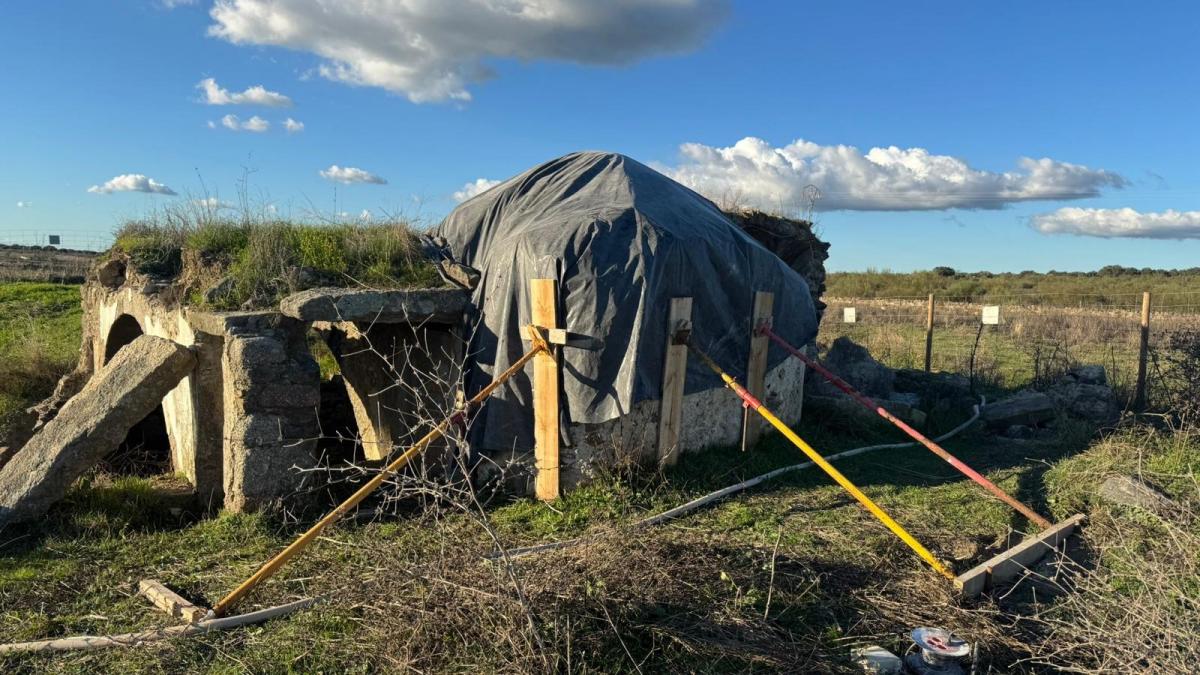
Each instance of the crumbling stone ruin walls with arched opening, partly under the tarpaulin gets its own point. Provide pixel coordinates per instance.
(253, 414)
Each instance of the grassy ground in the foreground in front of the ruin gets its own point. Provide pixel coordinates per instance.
(83, 563)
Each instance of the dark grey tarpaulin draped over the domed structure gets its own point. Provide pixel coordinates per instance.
(622, 240)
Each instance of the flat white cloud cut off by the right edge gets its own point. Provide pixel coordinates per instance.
(1120, 223)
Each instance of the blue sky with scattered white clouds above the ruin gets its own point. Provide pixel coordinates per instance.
(1107, 93)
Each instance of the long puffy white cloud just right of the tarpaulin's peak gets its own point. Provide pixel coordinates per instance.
(754, 174)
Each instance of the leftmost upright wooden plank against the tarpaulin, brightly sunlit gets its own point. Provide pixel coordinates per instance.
(544, 302)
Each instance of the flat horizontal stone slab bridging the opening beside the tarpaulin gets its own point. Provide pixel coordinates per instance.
(427, 306)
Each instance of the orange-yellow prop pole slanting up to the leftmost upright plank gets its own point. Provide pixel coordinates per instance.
(303, 542)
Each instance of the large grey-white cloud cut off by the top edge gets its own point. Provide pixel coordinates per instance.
(433, 51)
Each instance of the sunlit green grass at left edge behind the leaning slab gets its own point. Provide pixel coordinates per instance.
(39, 342)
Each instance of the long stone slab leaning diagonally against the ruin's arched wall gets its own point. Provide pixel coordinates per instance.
(91, 426)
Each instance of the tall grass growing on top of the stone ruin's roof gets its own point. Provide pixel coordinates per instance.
(265, 260)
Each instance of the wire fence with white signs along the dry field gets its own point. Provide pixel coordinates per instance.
(1022, 341)
